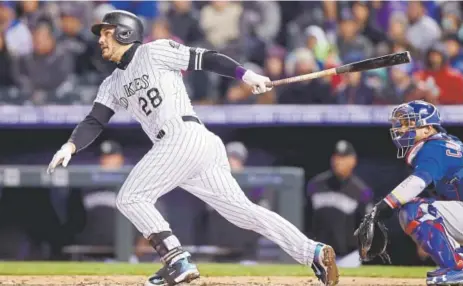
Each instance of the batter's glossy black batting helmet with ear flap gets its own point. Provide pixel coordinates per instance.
(129, 28)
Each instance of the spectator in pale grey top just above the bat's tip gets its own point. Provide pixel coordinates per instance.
(423, 30)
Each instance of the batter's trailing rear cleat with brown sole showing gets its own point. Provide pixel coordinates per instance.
(324, 265)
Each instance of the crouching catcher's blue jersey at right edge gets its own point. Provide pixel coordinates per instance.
(439, 160)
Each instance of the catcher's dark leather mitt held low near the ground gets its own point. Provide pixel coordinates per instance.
(372, 238)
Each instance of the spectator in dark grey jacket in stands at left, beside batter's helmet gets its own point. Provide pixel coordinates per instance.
(48, 68)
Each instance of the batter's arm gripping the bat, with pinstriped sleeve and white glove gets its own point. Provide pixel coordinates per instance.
(170, 55)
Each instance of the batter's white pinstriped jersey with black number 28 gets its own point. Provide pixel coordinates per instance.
(151, 88)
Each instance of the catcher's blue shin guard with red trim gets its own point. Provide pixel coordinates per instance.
(420, 220)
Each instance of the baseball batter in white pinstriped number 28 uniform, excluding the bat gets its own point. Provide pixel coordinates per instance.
(148, 84)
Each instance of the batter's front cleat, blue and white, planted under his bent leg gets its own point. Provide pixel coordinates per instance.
(182, 271)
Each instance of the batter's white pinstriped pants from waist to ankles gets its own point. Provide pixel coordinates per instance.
(191, 157)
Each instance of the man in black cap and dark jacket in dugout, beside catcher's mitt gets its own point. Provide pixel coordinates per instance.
(337, 201)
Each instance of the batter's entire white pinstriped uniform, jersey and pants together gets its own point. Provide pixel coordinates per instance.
(193, 158)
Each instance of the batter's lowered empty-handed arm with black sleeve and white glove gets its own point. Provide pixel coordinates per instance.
(104, 107)
